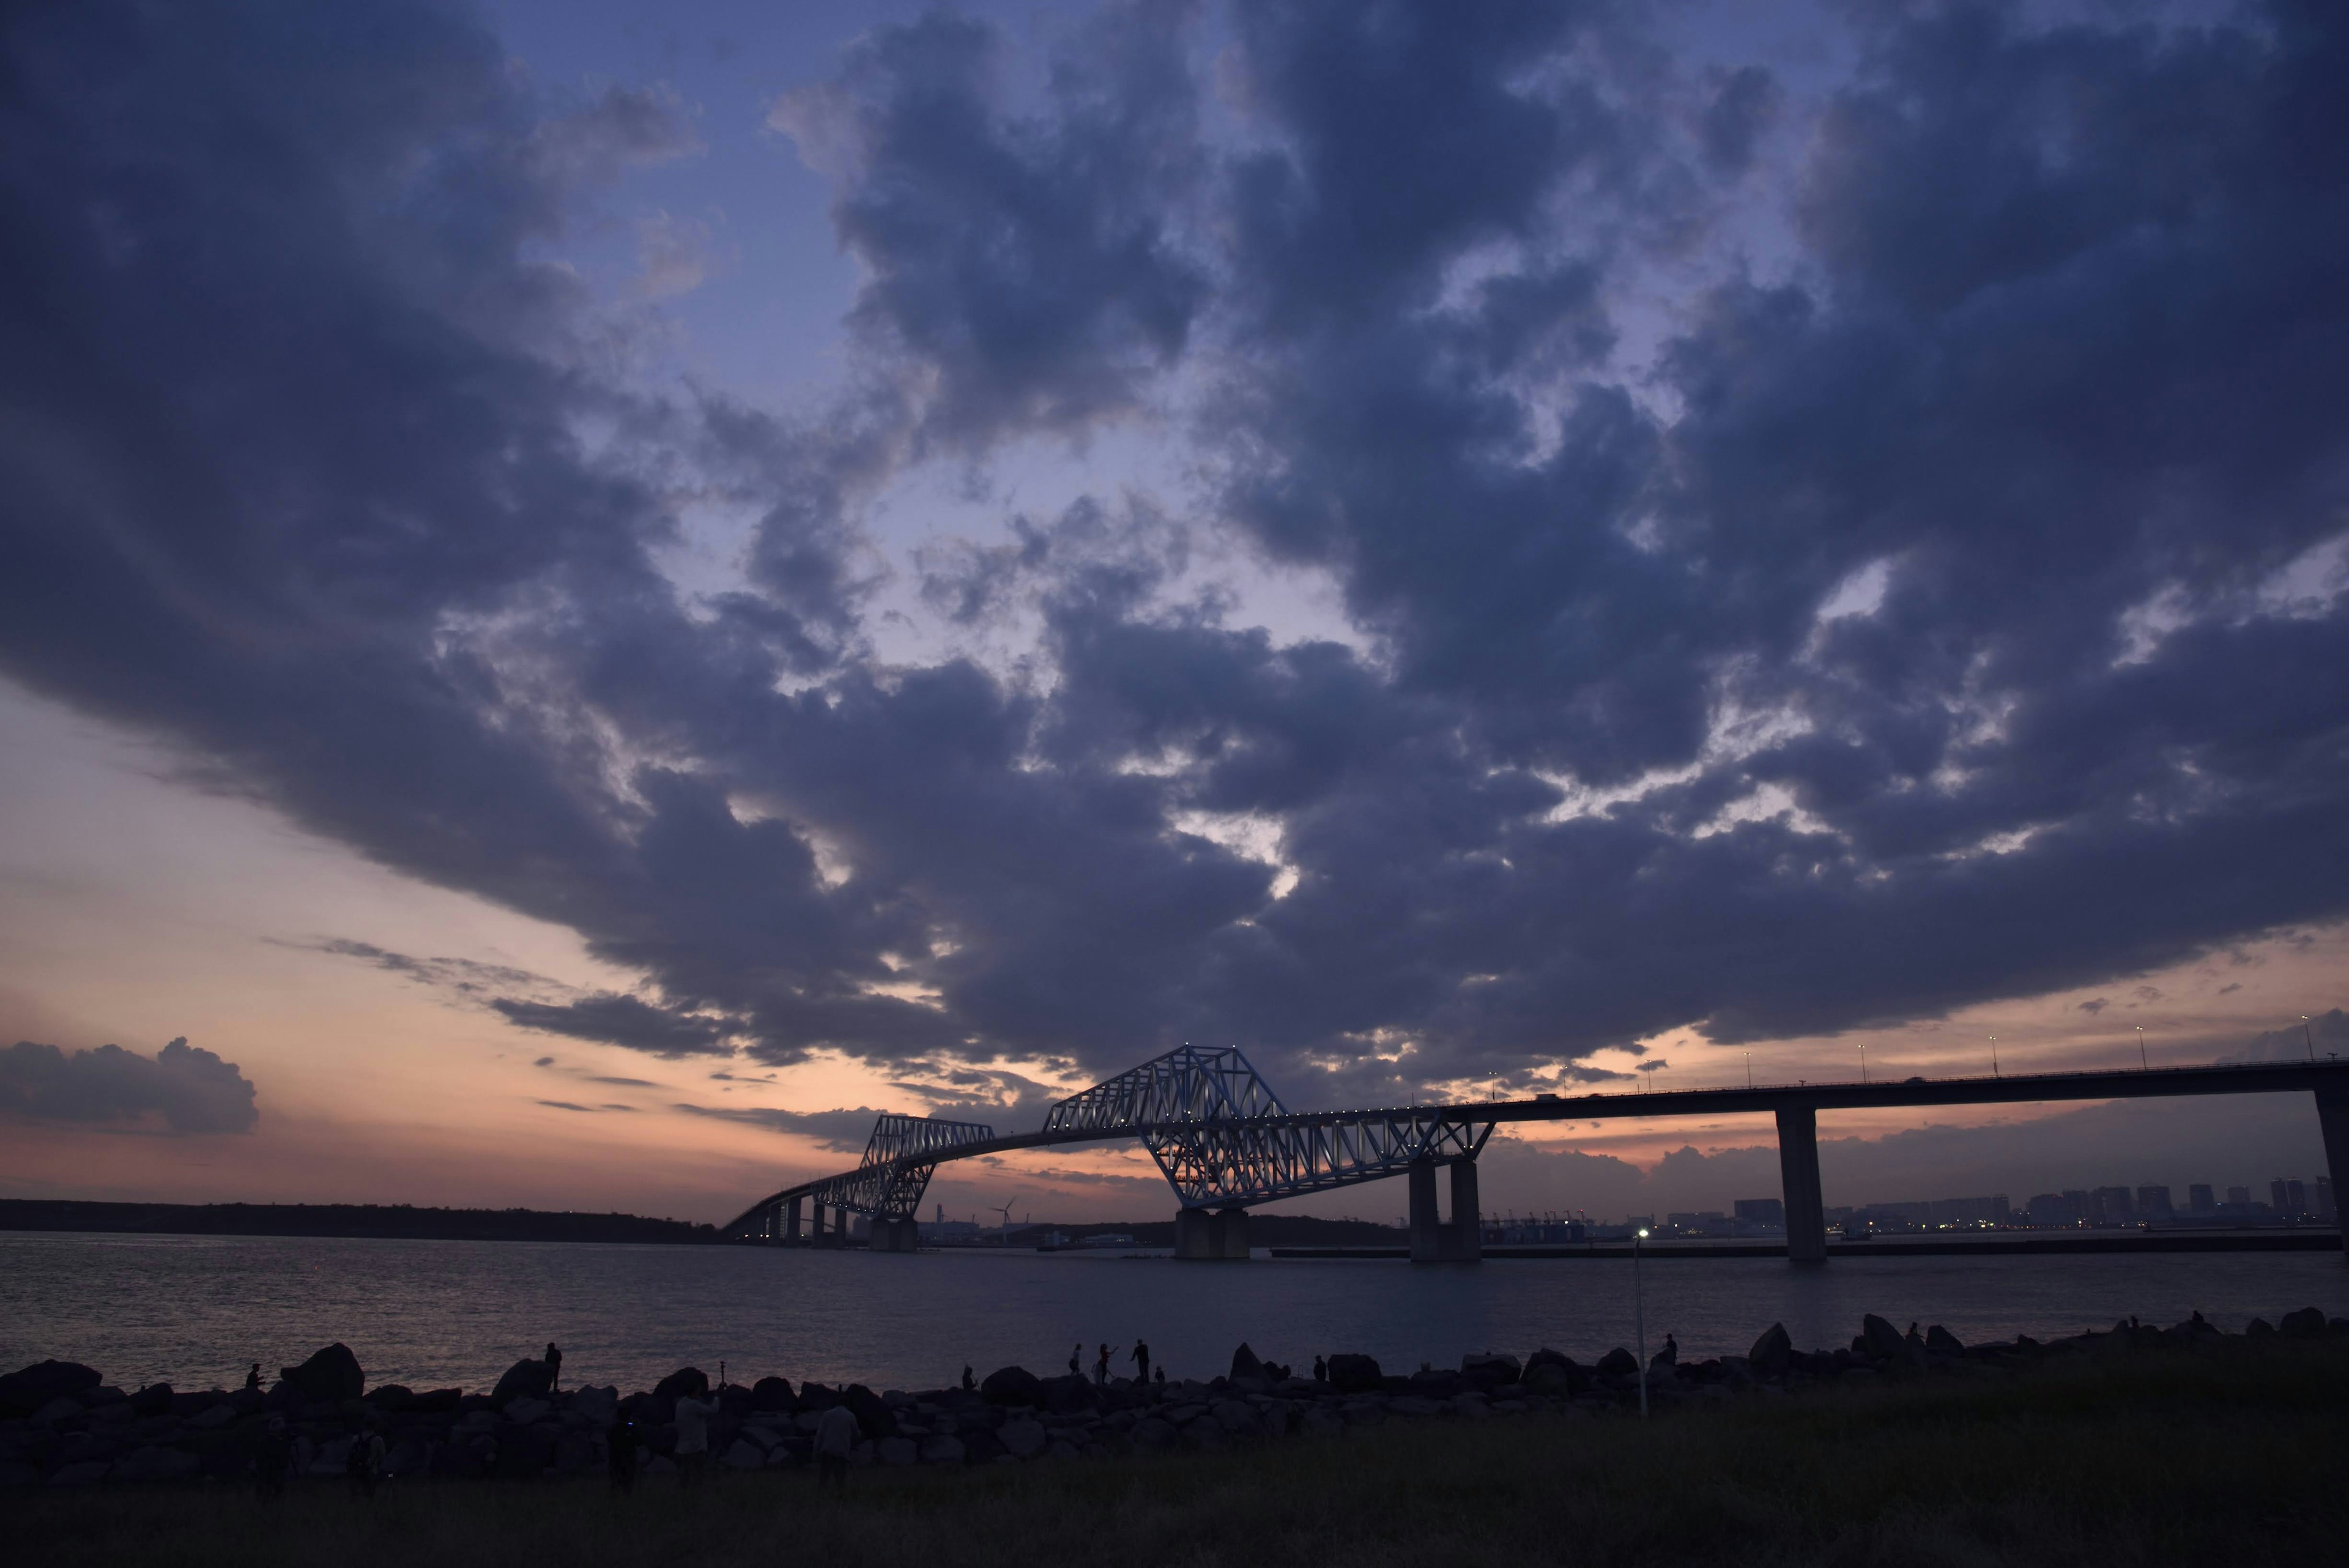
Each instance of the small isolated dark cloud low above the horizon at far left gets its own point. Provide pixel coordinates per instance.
(191, 1090)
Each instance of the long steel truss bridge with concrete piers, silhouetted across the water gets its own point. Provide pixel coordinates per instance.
(1227, 1144)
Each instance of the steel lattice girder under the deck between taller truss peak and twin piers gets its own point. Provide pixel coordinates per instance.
(1239, 1165)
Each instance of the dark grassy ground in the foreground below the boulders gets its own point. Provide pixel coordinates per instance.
(2226, 1456)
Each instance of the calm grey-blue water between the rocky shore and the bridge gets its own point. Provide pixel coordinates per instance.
(194, 1311)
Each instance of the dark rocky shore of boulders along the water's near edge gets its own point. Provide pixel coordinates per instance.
(62, 1426)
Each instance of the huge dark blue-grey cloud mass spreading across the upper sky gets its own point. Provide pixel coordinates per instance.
(1939, 617)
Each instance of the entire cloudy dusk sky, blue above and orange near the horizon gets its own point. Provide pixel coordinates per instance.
(591, 594)
